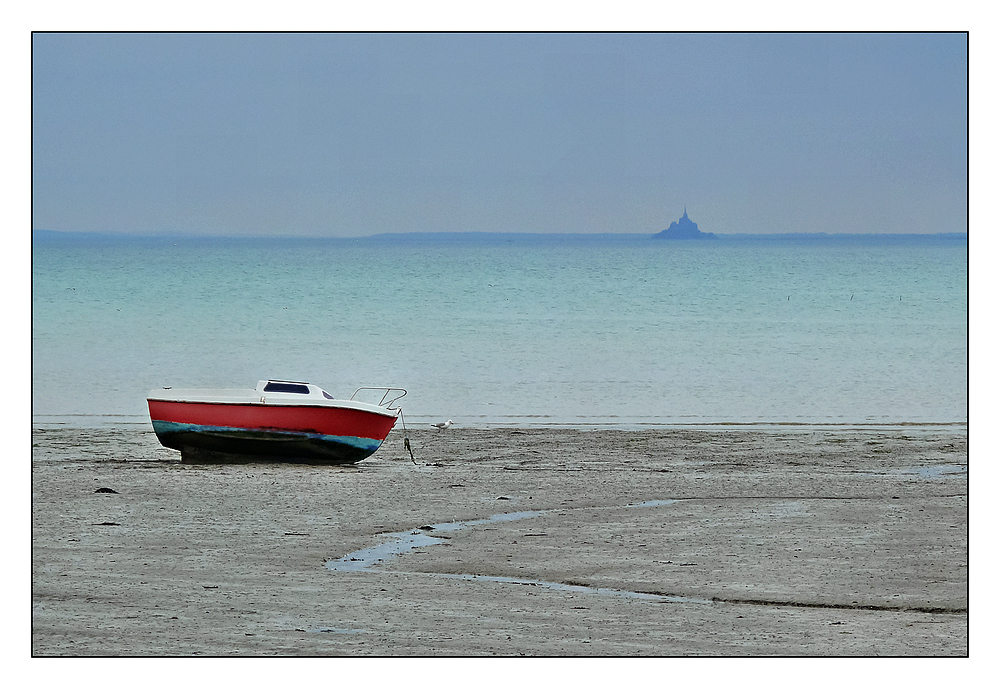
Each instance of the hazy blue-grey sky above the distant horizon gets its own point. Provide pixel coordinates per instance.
(358, 134)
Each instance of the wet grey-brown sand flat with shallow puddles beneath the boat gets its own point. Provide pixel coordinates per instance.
(720, 542)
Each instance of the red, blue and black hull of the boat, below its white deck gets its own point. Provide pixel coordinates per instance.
(206, 431)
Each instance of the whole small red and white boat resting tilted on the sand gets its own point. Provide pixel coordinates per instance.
(279, 420)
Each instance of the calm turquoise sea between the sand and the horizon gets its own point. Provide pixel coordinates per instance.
(513, 330)
